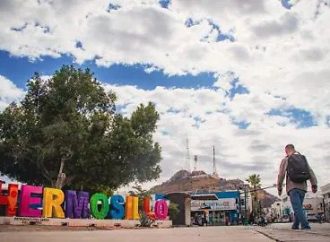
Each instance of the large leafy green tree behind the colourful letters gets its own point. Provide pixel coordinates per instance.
(66, 132)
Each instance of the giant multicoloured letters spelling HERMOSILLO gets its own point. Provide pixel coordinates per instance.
(36, 201)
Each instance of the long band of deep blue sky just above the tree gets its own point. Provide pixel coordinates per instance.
(20, 69)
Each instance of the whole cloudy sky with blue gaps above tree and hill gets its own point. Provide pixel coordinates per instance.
(247, 77)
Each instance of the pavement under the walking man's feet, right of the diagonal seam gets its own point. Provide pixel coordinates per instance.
(283, 232)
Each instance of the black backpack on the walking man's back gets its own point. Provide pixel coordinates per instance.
(298, 169)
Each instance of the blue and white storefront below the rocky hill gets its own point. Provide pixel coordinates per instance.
(220, 208)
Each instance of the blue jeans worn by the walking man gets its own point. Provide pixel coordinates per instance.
(297, 198)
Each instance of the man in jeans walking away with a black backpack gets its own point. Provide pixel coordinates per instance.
(297, 171)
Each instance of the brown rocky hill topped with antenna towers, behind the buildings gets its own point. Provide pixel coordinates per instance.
(199, 181)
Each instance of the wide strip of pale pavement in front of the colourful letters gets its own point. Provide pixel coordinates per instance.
(199, 234)
